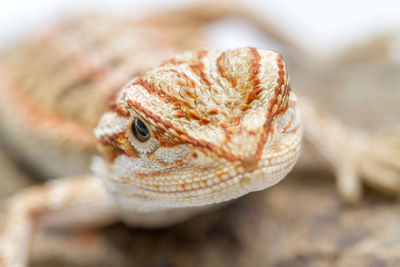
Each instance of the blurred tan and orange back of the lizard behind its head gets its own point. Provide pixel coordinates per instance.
(56, 86)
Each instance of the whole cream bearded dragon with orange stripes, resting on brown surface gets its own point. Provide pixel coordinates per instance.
(203, 128)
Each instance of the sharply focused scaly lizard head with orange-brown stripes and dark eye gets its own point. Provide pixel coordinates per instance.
(202, 128)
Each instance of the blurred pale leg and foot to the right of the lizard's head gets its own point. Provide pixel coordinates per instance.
(354, 156)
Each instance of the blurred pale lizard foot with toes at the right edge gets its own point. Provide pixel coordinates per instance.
(370, 158)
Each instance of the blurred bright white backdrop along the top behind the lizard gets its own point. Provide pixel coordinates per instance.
(323, 27)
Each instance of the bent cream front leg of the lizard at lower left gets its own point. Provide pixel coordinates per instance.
(70, 202)
